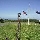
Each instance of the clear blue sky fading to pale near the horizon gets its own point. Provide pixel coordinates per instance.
(9, 9)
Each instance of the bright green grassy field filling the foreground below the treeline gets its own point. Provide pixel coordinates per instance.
(28, 32)
